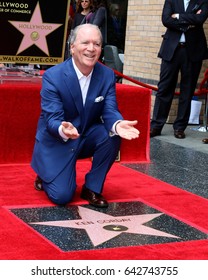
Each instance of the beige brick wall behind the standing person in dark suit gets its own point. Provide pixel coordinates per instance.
(143, 39)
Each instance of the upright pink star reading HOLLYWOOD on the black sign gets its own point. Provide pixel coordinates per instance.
(35, 31)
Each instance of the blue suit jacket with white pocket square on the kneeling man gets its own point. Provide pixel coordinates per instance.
(61, 100)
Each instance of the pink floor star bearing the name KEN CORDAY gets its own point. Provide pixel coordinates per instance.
(102, 227)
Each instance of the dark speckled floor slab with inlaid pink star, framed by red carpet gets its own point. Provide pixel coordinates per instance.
(84, 227)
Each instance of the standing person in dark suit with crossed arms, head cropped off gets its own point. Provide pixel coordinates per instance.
(182, 50)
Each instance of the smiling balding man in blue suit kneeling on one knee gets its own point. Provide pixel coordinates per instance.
(79, 119)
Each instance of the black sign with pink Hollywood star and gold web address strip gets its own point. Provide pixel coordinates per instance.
(33, 32)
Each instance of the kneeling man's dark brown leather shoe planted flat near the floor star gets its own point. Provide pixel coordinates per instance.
(93, 198)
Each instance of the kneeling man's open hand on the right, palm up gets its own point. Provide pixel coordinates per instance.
(126, 129)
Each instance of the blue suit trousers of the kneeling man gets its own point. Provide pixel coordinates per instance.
(103, 149)
